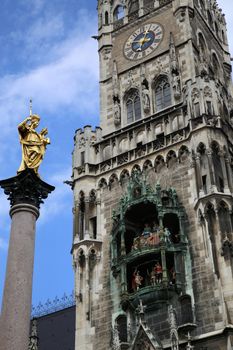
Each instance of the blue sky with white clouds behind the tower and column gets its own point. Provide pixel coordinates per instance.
(47, 53)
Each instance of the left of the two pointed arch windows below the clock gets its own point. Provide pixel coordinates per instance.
(133, 106)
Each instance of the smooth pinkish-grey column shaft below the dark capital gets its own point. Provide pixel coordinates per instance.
(17, 298)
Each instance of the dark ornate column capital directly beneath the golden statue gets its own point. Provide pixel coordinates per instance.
(26, 188)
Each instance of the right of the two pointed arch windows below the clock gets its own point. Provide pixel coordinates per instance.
(162, 94)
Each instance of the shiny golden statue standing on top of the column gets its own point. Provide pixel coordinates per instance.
(33, 143)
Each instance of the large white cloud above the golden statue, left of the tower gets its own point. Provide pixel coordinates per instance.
(68, 81)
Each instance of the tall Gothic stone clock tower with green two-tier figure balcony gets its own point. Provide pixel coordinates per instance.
(153, 236)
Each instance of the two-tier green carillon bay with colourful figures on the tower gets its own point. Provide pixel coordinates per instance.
(148, 243)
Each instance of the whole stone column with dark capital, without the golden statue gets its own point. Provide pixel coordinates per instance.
(26, 192)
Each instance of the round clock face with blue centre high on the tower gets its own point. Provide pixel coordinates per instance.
(143, 41)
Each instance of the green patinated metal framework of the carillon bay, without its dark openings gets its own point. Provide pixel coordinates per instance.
(166, 201)
